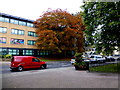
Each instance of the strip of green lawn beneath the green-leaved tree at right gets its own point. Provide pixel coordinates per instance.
(114, 68)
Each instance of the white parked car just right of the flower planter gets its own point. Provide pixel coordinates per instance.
(96, 58)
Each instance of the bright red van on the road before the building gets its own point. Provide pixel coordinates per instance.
(25, 62)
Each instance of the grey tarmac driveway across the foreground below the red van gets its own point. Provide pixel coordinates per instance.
(66, 77)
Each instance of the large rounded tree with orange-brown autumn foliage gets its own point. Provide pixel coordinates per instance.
(59, 31)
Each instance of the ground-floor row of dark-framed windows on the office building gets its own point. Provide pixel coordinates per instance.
(25, 52)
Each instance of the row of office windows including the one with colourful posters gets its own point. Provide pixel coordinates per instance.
(17, 41)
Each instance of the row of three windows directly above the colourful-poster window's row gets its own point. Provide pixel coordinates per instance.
(17, 32)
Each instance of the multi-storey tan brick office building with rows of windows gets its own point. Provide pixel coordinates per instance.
(17, 36)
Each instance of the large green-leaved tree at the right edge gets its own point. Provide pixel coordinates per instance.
(102, 25)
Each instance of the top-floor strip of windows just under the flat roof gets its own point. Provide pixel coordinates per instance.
(9, 20)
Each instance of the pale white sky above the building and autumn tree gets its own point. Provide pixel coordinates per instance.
(32, 9)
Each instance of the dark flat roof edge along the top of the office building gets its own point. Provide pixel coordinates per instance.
(16, 17)
